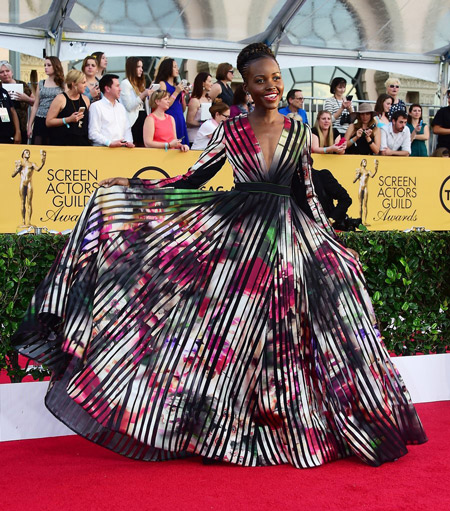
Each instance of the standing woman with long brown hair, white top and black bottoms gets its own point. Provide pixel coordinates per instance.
(133, 97)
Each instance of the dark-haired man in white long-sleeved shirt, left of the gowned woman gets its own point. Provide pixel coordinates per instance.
(108, 120)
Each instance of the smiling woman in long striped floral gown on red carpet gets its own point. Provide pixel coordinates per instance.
(231, 325)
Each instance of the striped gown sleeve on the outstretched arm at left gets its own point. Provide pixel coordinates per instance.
(210, 162)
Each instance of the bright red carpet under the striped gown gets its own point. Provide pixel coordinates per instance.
(70, 473)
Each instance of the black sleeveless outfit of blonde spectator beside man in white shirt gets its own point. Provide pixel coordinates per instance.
(76, 134)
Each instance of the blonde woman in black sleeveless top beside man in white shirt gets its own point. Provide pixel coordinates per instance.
(67, 117)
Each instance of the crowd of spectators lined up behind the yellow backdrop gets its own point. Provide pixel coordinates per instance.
(91, 107)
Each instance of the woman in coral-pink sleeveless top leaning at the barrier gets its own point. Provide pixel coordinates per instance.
(159, 127)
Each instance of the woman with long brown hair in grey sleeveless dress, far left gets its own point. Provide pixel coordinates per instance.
(46, 92)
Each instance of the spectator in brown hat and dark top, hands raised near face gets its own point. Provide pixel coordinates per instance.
(363, 136)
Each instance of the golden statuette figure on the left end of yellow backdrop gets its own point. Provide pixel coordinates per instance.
(26, 169)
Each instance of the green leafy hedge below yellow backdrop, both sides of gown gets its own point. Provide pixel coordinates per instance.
(408, 277)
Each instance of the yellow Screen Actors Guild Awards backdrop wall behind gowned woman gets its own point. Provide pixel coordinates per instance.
(48, 186)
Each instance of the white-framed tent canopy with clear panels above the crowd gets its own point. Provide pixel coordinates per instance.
(408, 37)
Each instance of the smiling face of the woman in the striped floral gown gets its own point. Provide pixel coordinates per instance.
(264, 83)
